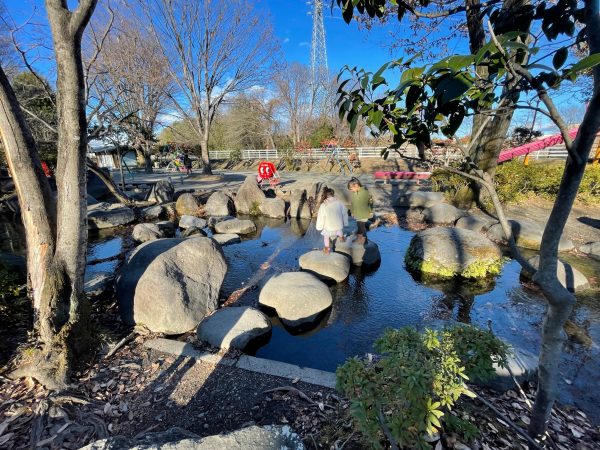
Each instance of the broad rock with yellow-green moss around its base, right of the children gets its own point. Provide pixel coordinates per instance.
(450, 252)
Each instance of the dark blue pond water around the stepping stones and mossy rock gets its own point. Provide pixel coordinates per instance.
(372, 300)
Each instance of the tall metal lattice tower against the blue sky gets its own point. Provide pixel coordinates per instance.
(318, 56)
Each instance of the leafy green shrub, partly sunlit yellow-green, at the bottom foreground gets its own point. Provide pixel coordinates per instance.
(409, 391)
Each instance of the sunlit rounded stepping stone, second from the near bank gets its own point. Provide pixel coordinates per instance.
(298, 298)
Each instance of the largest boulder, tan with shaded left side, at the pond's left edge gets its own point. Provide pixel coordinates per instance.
(170, 285)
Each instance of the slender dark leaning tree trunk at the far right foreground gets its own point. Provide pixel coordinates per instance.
(561, 301)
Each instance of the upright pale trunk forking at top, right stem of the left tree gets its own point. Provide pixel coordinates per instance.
(63, 313)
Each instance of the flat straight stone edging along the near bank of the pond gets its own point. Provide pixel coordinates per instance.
(246, 362)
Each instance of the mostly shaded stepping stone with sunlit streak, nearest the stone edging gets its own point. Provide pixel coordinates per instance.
(233, 327)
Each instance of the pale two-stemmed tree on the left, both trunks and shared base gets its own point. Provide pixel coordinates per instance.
(56, 235)
